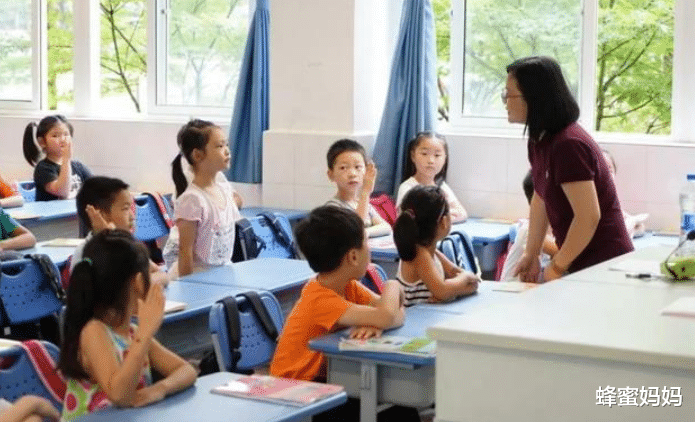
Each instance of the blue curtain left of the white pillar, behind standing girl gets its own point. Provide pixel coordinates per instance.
(250, 115)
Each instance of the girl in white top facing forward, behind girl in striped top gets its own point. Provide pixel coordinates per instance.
(426, 162)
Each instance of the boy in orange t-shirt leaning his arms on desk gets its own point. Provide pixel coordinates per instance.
(333, 241)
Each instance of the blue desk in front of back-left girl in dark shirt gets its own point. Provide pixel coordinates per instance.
(48, 219)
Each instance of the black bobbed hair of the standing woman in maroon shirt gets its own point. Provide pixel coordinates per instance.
(550, 104)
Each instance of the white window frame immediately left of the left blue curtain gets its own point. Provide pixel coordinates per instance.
(157, 66)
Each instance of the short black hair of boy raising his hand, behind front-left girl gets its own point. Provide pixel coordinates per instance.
(99, 192)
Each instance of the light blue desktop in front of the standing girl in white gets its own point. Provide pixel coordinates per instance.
(283, 277)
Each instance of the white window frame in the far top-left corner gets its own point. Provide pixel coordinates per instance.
(38, 61)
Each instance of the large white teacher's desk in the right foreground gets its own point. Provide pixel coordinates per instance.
(562, 341)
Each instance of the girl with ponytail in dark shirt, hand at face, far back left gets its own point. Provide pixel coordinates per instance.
(58, 175)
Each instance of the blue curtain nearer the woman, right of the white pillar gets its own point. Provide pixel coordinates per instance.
(411, 103)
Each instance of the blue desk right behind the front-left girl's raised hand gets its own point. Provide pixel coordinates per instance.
(186, 332)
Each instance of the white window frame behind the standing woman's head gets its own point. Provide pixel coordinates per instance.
(683, 91)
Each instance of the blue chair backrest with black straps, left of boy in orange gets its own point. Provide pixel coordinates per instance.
(255, 344)
